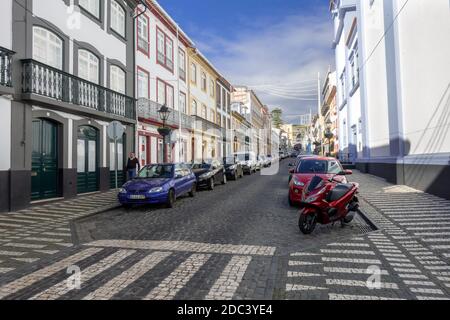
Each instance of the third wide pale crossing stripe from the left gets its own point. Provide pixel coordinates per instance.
(126, 278)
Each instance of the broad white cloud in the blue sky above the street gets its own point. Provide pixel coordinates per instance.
(292, 50)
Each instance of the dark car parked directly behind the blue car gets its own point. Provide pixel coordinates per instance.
(209, 173)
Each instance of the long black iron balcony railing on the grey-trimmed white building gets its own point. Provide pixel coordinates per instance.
(41, 79)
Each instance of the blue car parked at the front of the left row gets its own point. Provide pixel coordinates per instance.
(158, 184)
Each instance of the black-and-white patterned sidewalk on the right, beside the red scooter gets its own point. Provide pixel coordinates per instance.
(411, 250)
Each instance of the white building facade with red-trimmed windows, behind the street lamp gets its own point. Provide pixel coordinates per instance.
(162, 79)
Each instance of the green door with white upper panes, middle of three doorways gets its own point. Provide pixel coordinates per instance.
(87, 160)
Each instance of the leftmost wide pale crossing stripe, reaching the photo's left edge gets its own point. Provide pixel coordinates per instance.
(43, 273)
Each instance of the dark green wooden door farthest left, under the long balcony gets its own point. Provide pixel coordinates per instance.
(44, 162)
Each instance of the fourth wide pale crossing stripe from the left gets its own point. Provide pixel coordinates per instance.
(170, 286)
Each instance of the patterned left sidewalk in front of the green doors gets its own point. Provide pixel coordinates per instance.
(40, 231)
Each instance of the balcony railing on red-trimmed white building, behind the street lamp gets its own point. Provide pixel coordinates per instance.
(148, 109)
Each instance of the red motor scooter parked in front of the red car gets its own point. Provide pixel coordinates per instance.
(327, 201)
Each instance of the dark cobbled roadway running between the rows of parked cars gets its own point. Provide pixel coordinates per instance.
(251, 211)
